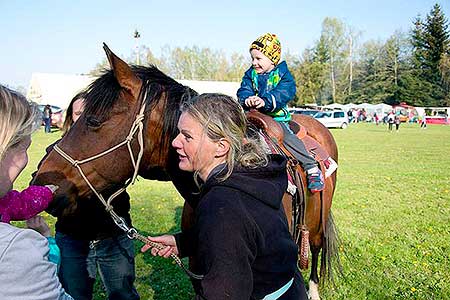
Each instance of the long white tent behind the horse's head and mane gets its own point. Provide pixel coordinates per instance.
(59, 89)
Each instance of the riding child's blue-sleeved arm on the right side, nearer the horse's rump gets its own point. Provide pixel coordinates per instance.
(279, 96)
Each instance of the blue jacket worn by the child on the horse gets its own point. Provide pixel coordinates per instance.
(276, 96)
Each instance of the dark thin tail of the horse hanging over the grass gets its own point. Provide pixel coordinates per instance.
(330, 260)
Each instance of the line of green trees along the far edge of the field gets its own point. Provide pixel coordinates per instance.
(411, 67)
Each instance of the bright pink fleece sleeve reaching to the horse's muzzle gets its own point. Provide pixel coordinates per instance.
(19, 206)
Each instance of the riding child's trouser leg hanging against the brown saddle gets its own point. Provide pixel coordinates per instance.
(297, 148)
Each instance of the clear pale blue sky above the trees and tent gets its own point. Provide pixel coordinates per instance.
(67, 36)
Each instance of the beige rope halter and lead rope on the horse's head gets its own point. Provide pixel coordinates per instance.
(131, 232)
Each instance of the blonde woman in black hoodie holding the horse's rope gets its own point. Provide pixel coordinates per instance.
(241, 238)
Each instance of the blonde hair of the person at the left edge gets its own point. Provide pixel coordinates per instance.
(18, 119)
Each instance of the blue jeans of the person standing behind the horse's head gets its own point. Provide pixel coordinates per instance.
(114, 259)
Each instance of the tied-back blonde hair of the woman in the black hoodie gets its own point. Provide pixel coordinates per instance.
(223, 117)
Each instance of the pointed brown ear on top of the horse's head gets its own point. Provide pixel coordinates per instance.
(123, 73)
